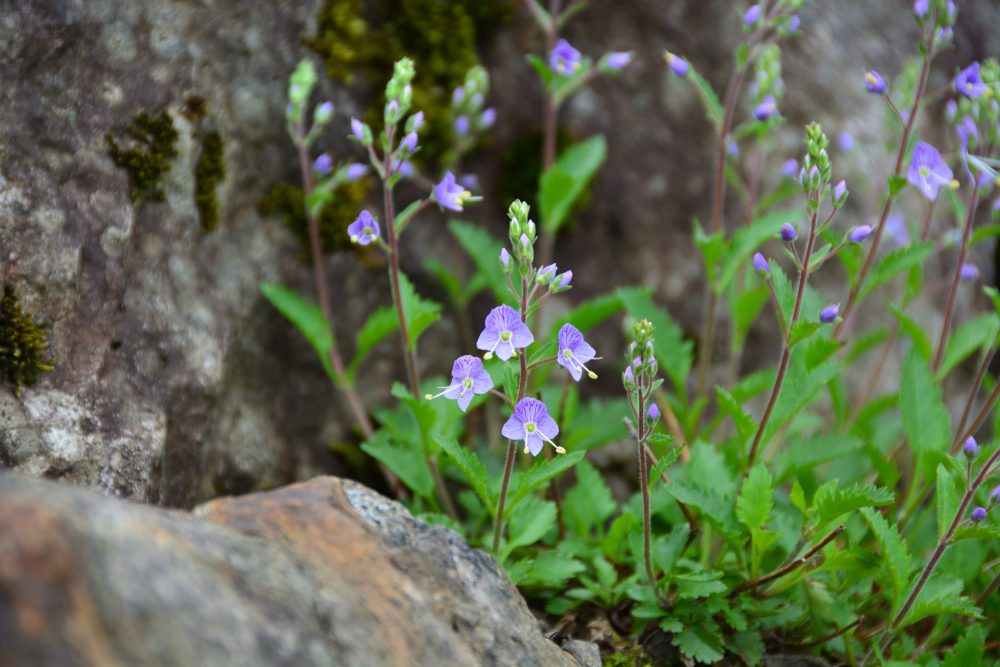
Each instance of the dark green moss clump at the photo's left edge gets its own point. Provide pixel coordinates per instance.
(23, 344)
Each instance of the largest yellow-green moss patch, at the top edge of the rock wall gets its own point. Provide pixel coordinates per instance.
(440, 35)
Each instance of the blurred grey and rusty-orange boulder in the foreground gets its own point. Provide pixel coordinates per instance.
(325, 572)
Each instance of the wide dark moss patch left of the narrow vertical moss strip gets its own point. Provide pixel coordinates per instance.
(145, 153)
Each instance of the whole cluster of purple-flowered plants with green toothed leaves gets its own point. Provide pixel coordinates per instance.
(792, 509)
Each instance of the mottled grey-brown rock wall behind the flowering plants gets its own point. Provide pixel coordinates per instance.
(175, 381)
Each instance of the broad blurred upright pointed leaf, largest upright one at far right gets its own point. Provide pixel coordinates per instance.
(925, 419)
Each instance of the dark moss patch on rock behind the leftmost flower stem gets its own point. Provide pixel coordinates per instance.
(288, 202)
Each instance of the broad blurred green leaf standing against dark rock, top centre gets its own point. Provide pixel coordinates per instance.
(564, 181)
